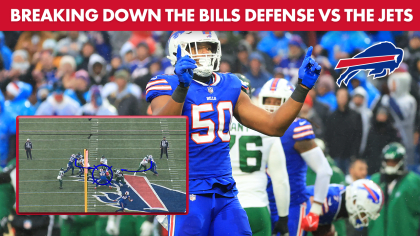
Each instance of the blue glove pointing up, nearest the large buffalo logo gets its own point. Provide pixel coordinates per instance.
(309, 70)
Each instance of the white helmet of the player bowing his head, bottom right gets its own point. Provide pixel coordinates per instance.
(364, 201)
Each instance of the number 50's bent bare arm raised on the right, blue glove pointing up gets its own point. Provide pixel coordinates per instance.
(275, 124)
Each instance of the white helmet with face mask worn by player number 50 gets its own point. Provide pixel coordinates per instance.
(207, 63)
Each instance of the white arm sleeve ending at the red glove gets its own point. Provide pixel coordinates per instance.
(316, 160)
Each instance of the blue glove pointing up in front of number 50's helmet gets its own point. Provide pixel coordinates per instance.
(184, 68)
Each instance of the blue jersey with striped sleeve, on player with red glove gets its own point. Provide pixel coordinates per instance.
(299, 130)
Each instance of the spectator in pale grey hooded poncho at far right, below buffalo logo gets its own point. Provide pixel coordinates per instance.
(402, 106)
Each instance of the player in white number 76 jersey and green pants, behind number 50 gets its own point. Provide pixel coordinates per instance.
(249, 171)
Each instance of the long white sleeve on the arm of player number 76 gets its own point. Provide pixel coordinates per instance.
(279, 177)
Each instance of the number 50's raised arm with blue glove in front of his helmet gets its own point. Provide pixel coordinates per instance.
(172, 105)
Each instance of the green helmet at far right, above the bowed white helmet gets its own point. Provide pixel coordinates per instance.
(393, 151)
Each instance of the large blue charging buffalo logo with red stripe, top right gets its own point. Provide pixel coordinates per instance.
(378, 59)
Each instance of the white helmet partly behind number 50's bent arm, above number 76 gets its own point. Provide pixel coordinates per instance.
(275, 88)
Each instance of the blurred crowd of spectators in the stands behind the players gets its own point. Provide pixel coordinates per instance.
(106, 73)
